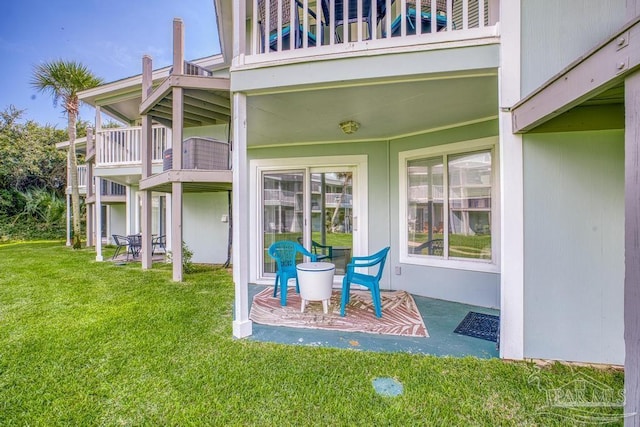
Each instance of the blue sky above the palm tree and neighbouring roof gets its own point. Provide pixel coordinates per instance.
(108, 36)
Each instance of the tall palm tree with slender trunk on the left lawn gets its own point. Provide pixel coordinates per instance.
(63, 80)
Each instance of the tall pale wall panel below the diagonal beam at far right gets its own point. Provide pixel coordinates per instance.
(574, 246)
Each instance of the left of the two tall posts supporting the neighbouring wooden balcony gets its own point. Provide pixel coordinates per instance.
(146, 157)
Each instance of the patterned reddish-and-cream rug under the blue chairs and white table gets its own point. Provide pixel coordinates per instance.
(400, 315)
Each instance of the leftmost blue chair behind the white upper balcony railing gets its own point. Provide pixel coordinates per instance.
(272, 41)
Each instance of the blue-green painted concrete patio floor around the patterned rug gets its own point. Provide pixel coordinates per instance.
(440, 317)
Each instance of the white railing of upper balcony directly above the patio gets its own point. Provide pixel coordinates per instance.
(319, 24)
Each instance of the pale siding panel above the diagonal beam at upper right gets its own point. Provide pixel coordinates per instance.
(572, 27)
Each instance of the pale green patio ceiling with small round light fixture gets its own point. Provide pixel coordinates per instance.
(384, 110)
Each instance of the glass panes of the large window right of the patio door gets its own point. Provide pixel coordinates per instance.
(449, 206)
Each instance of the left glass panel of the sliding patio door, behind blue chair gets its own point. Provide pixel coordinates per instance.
(282, 211)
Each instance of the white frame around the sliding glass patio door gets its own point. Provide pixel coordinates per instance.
(319, 163)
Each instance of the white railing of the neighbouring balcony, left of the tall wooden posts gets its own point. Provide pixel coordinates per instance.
(123, 146)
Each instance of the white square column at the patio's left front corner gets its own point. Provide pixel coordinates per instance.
(242, 326)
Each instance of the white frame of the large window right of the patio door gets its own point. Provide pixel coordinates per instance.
(493, 265)
